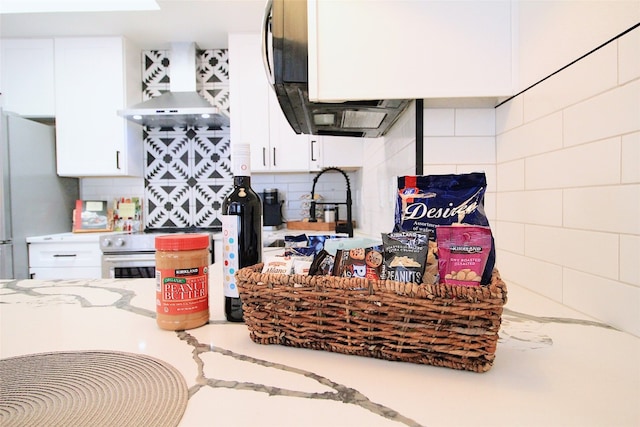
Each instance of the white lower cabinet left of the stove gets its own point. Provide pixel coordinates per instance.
(65, 256)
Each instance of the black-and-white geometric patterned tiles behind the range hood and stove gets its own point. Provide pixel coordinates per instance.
(187, 169)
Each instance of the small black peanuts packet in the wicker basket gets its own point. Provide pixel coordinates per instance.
(405, 254)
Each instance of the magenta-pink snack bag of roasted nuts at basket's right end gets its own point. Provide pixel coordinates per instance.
(462, 253)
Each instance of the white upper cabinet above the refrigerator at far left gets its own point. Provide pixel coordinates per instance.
(27, 77)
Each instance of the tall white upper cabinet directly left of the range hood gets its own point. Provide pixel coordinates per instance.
(94, 78)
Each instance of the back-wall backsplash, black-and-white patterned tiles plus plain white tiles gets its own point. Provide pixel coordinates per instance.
(187, 171)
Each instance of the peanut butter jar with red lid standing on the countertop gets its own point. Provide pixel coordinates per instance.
(182, 281)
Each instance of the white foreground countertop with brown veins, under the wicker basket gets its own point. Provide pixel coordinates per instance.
(553, 367)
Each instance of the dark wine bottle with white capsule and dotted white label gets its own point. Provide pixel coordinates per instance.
(241, 230)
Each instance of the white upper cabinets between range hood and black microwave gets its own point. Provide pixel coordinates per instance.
(256, 117)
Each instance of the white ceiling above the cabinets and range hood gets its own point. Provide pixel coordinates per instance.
(206, 22)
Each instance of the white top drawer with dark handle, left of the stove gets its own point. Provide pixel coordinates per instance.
(65, 255)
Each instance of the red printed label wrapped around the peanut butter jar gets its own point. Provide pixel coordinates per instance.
(182, 291)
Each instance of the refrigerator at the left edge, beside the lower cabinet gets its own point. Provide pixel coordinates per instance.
(34, 200)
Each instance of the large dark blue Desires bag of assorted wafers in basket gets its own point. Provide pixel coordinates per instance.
(425, 202)
